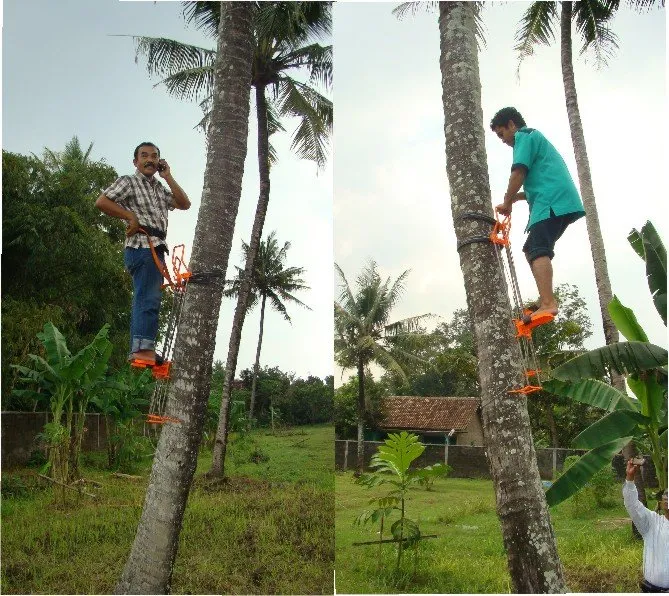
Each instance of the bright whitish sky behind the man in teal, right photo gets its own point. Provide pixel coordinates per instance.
(391, 191)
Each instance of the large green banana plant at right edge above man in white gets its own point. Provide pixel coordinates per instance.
(643, 419)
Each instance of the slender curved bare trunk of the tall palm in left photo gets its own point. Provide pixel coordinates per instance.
(220, 444)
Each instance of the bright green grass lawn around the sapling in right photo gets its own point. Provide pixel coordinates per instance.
(595, 545)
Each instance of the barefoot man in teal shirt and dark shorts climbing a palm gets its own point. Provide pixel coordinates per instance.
(549, 191)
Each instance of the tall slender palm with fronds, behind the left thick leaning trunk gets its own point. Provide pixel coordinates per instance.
(283, 35)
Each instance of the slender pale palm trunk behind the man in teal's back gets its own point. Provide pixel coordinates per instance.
(591, 218)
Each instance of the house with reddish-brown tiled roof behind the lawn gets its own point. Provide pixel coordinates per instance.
(433, 418)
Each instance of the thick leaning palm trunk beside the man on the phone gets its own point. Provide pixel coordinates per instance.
(149, 567)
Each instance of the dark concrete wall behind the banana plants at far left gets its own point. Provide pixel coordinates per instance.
(20, 430)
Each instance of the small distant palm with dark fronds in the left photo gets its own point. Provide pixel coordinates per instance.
(271, 280)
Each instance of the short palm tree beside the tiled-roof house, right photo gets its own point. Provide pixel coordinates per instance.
(363, 335)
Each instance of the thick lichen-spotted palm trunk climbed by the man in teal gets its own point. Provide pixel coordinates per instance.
(529, 540)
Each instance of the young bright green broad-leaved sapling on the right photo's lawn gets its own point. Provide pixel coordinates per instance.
(392, 462)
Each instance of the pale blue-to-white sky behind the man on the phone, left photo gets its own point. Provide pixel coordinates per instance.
(65, 73)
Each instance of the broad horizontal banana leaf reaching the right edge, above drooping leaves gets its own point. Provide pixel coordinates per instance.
(624, 358)
